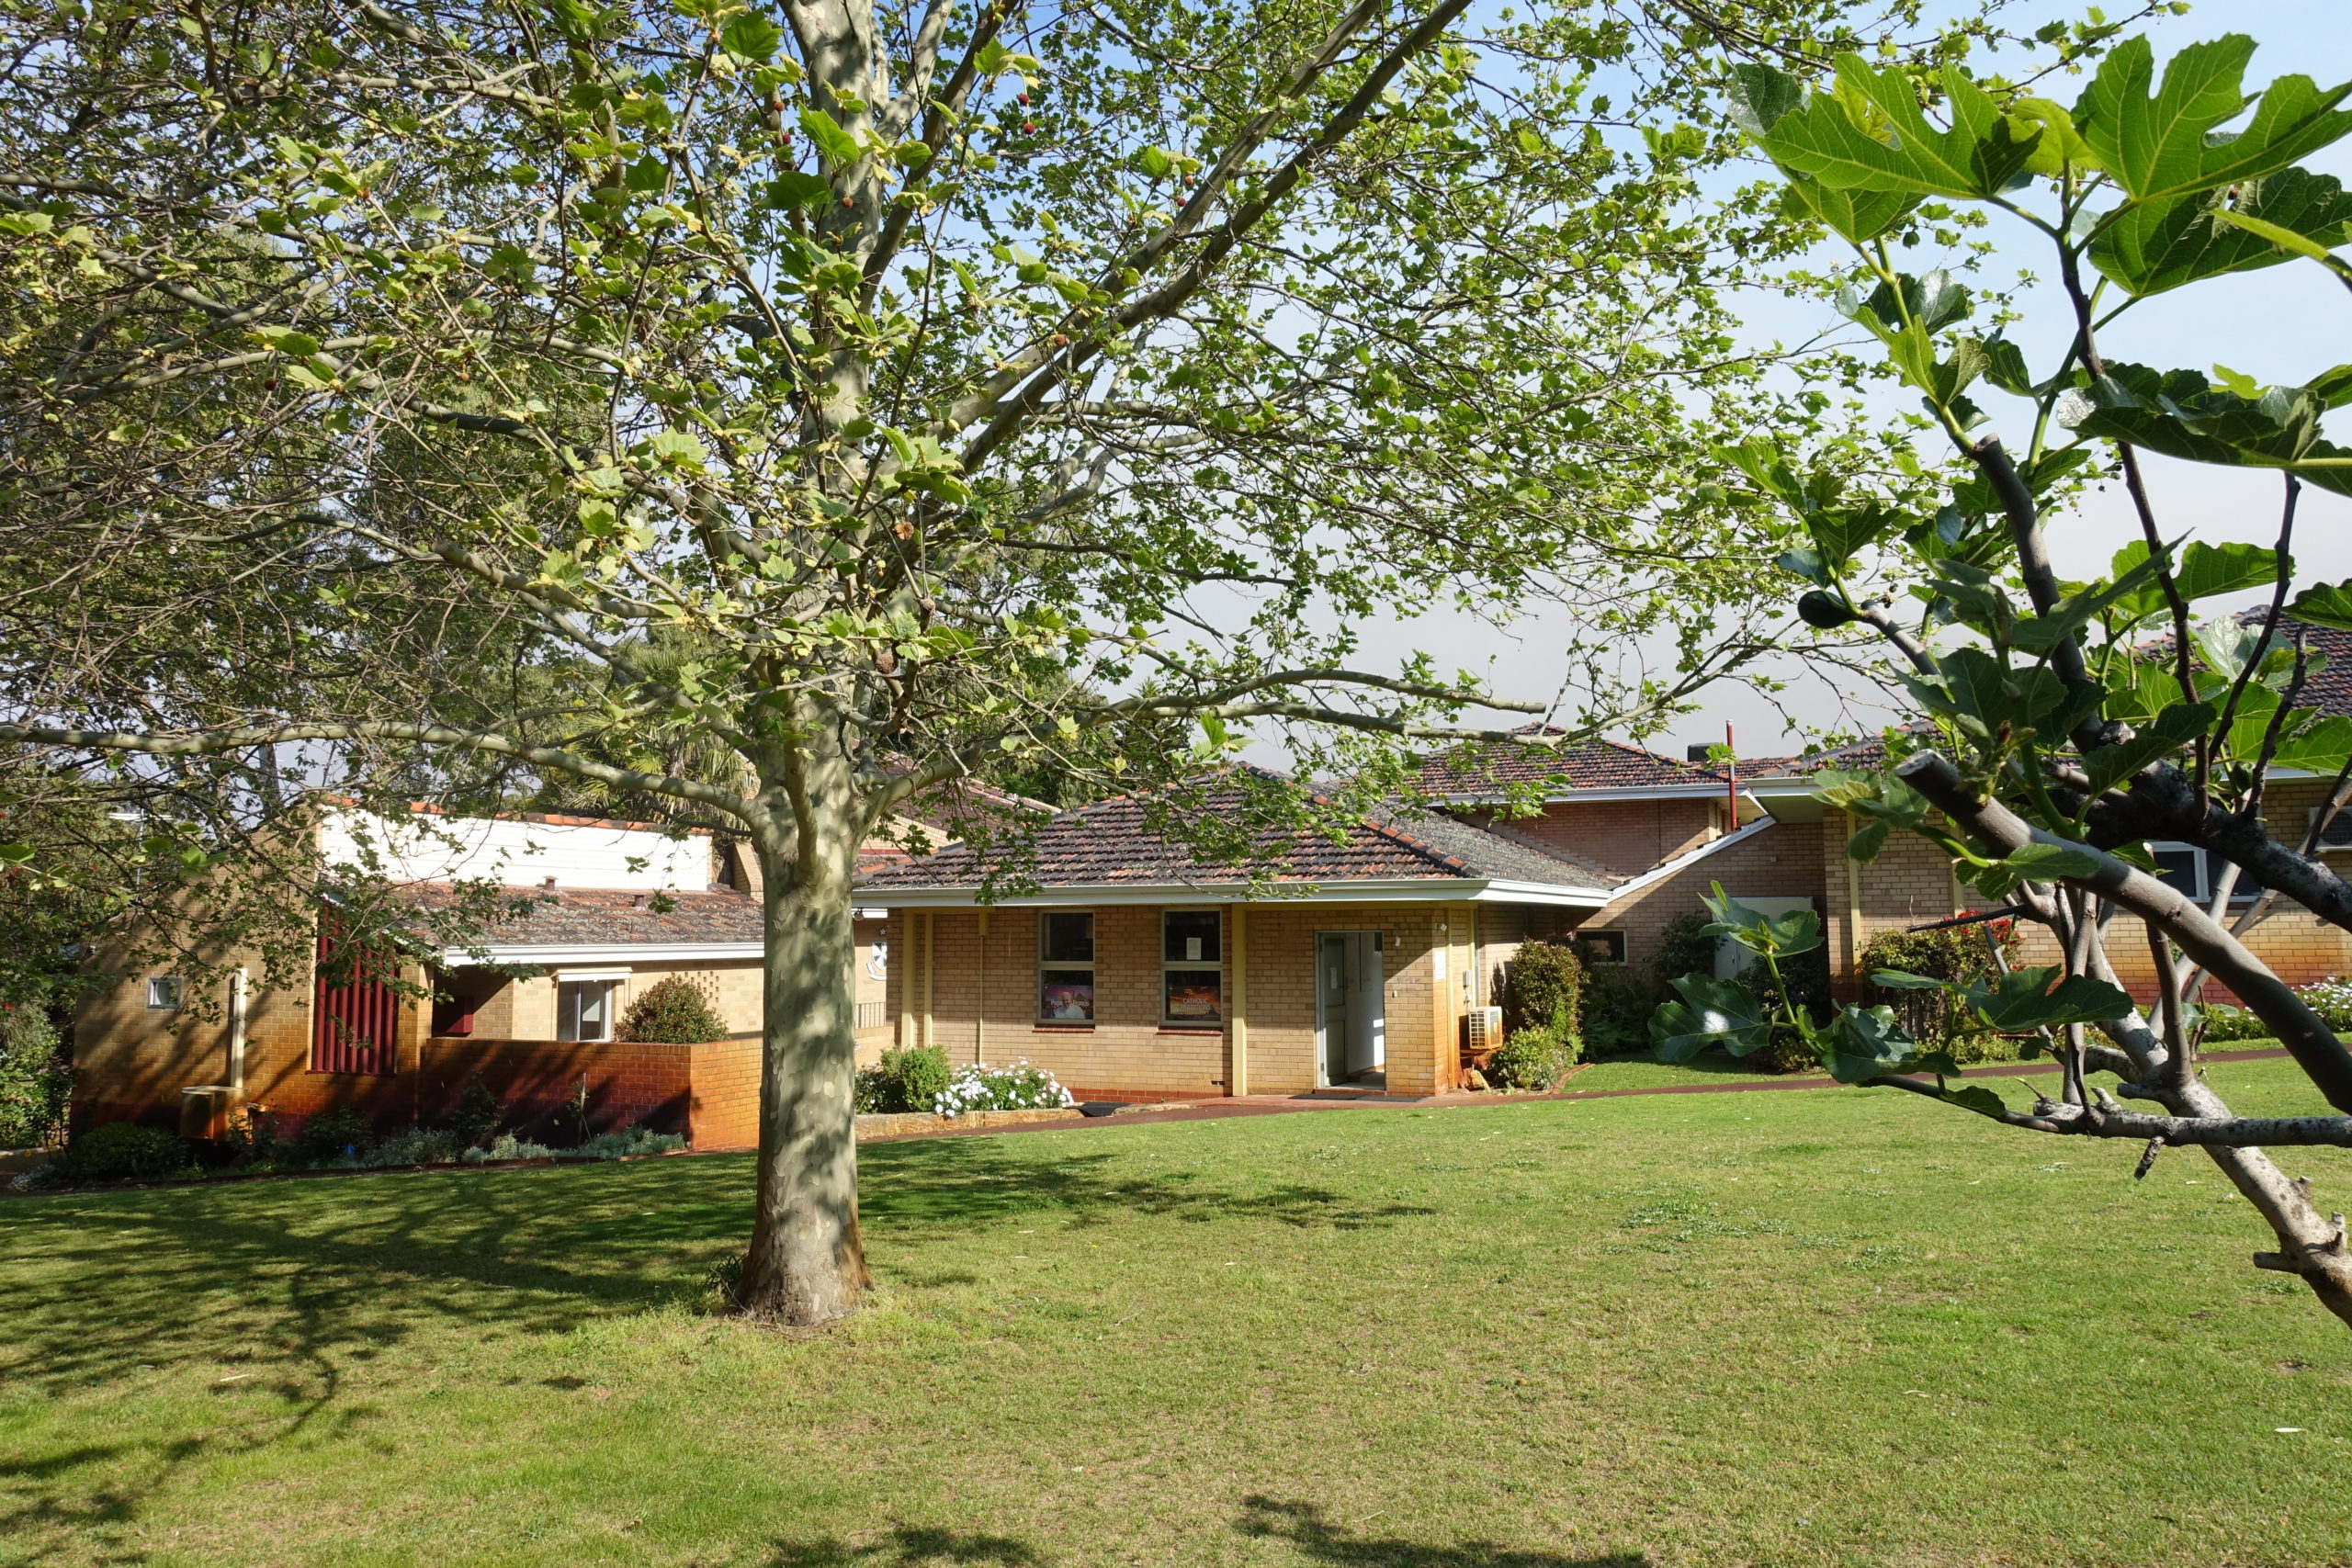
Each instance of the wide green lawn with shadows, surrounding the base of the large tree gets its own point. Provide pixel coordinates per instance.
(1822, 1327)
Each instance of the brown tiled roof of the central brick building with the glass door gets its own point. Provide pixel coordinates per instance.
(1116, 845)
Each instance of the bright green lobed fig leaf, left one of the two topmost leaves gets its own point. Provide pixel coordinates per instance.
(1869, 135)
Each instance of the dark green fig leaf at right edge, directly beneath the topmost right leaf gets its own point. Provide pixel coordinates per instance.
(2151, 248)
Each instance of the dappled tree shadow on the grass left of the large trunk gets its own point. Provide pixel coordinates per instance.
(302, 1275)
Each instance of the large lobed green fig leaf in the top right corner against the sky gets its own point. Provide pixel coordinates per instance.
(2170, 142)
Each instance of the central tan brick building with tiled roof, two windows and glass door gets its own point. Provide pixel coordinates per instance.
(1137, 972)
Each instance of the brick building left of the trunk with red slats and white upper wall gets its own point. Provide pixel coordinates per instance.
(533, 1007)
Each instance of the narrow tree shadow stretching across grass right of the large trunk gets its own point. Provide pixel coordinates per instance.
(951, 1184)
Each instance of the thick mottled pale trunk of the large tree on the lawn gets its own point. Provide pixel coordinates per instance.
(806, 1261)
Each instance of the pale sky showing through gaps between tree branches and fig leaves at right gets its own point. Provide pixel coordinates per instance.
(2280, 326)
